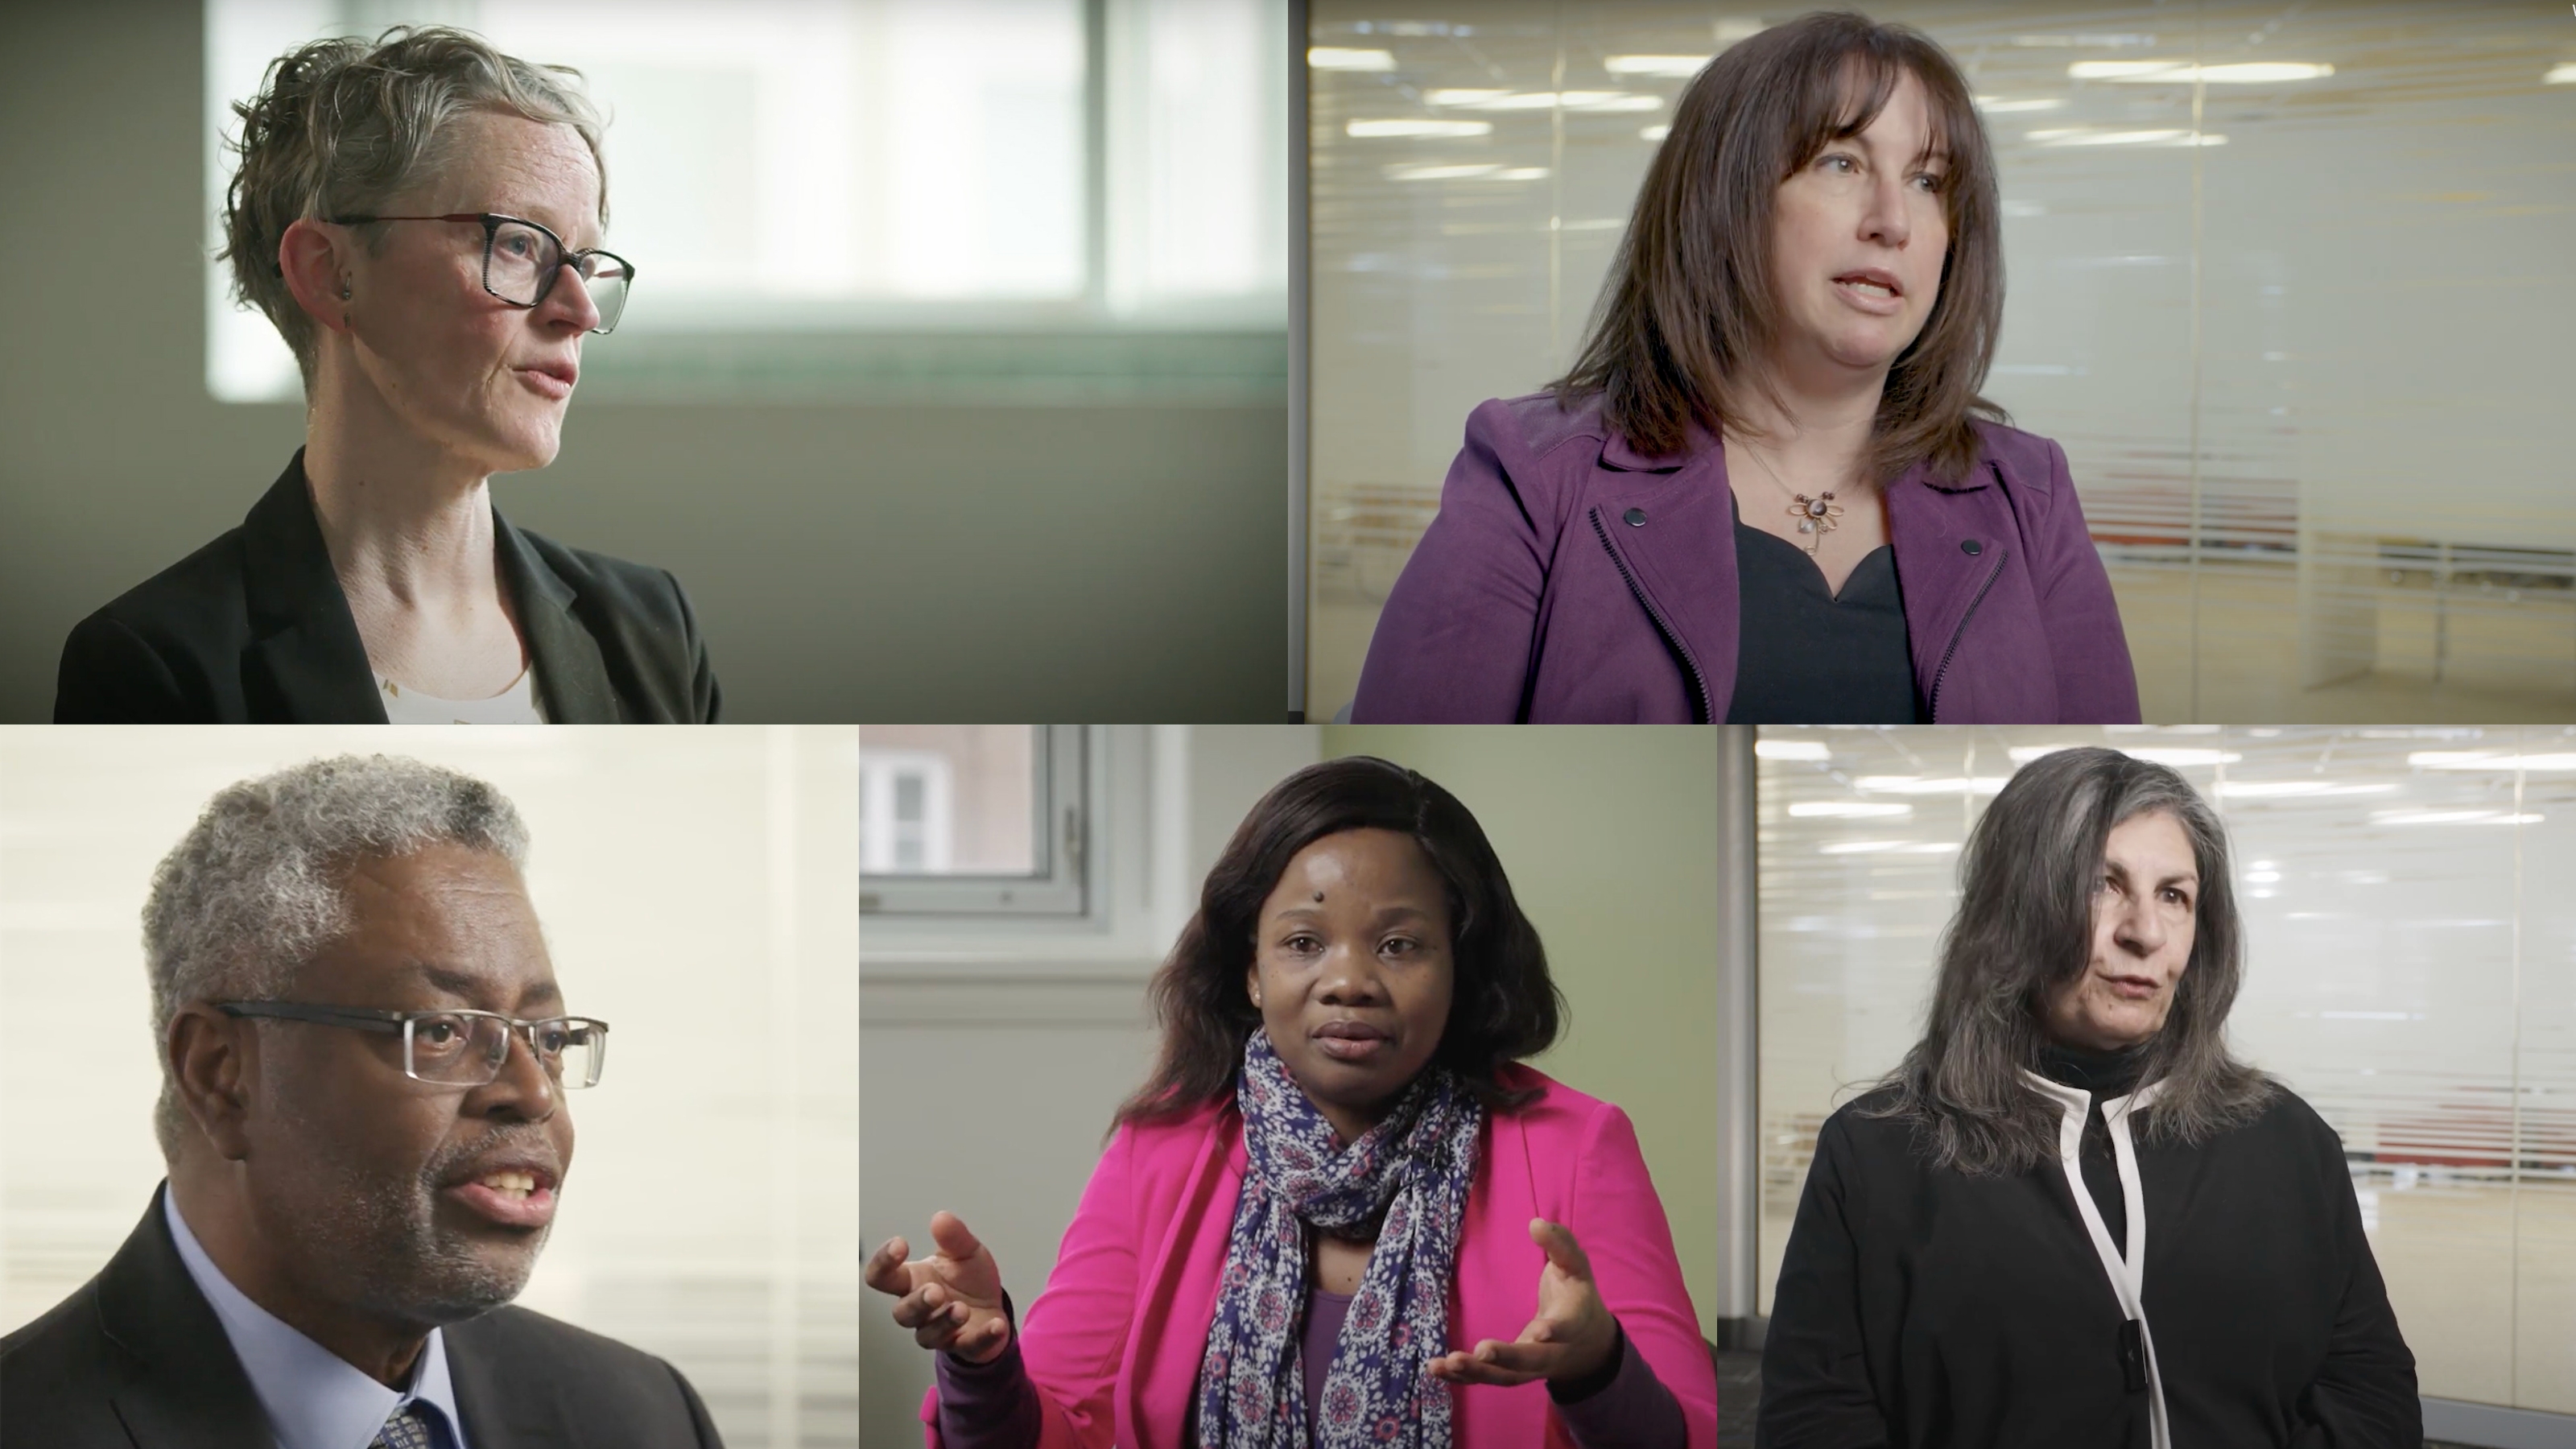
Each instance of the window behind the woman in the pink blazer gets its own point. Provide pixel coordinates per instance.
(972, 819)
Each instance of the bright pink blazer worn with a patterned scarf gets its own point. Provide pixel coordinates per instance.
(1117, 1337)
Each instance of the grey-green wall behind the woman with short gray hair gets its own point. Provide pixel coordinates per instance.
(849, 563)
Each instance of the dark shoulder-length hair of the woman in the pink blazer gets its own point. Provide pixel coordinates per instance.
(1503, 1007)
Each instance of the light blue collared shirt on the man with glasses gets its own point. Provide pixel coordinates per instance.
(313, 1396)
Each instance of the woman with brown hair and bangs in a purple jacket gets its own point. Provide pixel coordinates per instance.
(1768, 491)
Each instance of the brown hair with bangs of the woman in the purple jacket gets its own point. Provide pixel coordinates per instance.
(1689, 318)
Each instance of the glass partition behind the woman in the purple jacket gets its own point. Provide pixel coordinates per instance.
(2273, 282)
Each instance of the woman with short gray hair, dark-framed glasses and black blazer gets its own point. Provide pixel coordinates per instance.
(421, 218)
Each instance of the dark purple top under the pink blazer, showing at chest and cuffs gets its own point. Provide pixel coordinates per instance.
(993, 1406)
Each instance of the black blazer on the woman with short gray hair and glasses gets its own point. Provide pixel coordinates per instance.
(254, 630)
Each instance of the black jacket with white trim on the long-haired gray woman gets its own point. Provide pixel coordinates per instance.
(1926, 1308)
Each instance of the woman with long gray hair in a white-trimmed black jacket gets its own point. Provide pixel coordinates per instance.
(2072, 1216)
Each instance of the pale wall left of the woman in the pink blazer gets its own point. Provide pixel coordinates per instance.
(990, 1066)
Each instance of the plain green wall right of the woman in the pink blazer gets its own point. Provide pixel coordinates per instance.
(1611, 837)
